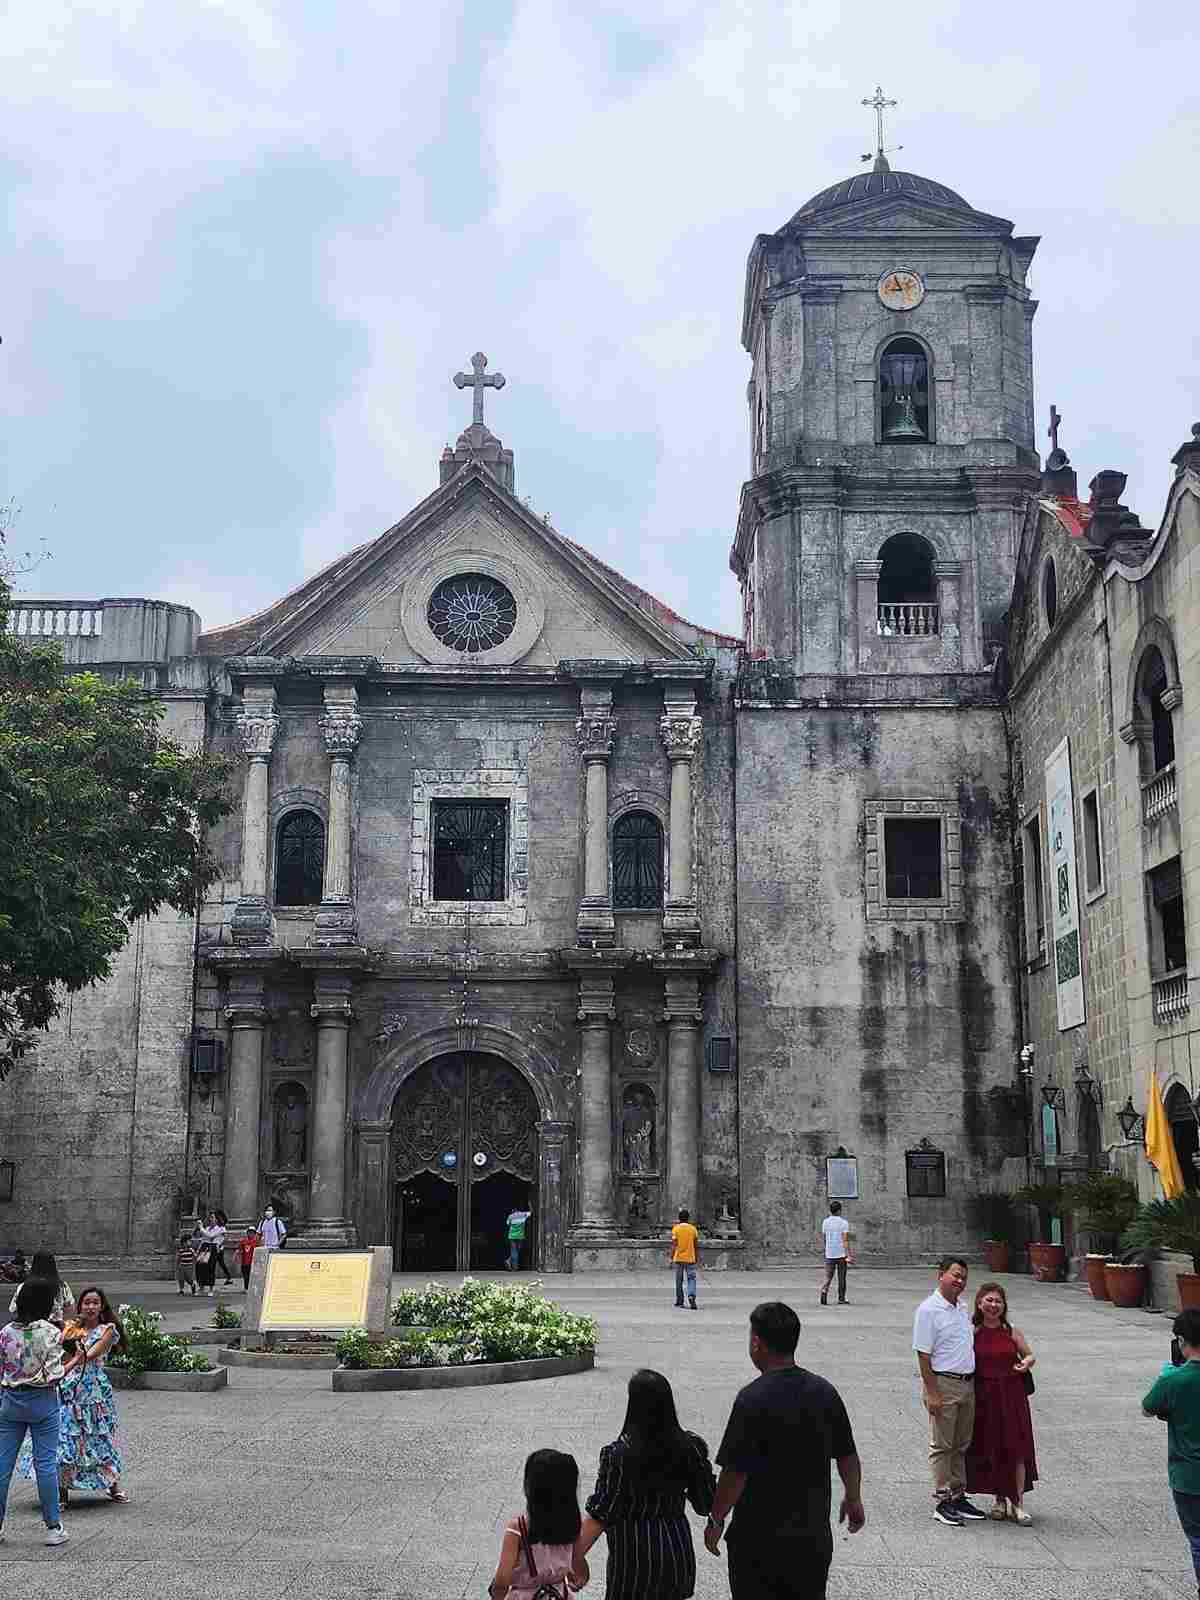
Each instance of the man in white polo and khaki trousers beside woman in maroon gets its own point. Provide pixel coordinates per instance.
(945, 1343)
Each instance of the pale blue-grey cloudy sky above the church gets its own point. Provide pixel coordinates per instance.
(249, 246)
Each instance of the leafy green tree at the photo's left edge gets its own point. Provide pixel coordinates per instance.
(102, 822)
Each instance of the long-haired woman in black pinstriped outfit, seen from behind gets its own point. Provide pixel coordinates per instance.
(646, 1478)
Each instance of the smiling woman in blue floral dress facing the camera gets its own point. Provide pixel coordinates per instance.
(89, 1457)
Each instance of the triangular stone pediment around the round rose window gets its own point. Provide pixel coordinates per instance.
(377, 601)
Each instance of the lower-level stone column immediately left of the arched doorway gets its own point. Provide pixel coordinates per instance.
(329, 1225)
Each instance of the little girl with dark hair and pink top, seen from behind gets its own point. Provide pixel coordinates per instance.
(540, 1554)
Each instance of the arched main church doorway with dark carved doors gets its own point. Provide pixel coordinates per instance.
(465, 1154)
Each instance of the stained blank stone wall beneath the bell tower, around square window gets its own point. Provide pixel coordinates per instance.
(868, 1034)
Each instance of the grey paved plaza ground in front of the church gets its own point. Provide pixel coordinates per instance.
(282, 1490)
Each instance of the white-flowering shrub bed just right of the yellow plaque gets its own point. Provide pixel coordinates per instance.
(474, 1324)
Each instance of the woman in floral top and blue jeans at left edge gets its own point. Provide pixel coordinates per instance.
(31, 1372)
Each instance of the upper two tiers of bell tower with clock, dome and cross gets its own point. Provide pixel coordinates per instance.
(892, 430)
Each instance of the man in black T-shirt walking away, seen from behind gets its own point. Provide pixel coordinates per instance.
(783, 1433)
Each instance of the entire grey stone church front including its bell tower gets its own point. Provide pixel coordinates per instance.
(537, 895)
